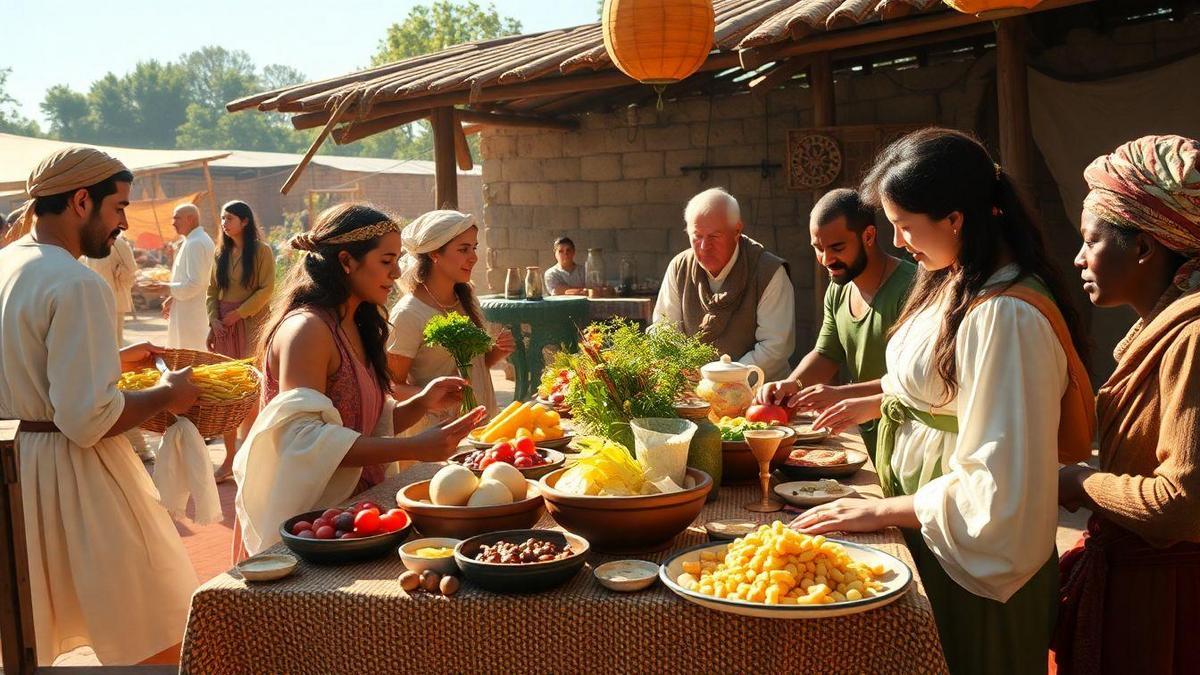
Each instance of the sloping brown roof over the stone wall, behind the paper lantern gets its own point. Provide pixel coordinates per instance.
(531, 80)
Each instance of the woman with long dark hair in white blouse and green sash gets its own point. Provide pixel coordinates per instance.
(970, 405)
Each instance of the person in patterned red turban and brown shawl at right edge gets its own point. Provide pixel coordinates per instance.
(1131, 589)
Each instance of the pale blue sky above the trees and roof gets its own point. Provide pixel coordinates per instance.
(76, 43)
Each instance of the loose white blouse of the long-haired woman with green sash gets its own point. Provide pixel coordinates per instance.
(992, 517)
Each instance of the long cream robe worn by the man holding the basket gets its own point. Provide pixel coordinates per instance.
(106, 566)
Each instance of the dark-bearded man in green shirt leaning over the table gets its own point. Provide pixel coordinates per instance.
(869, 290)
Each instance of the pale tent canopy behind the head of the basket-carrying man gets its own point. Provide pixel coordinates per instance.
(21, 154)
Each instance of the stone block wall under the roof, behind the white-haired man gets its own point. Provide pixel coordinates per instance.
(620, 184)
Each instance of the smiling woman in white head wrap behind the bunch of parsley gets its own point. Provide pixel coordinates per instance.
(437, 280)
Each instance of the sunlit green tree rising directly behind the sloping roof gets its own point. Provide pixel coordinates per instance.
(427, 29)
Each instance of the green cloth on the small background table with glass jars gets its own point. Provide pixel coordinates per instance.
(537, 325)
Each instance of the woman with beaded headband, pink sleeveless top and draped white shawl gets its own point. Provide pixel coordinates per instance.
(328, 426)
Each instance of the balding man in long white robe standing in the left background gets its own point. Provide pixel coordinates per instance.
(188, 316)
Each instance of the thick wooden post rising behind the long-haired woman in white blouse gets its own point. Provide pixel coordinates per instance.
(1013, 99)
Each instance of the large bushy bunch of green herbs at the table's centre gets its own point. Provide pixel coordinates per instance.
(621, 373)
